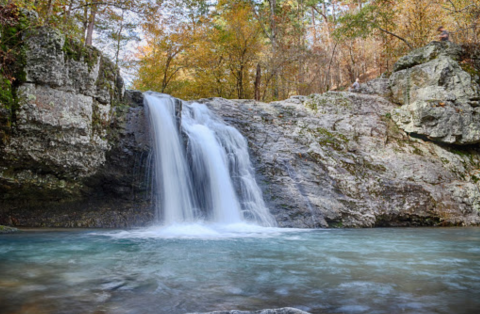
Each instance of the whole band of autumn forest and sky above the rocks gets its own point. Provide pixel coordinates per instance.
(266, 50)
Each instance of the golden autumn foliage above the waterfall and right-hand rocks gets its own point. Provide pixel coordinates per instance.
(274, 49)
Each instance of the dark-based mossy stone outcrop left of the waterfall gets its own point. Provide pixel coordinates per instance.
(73, 154)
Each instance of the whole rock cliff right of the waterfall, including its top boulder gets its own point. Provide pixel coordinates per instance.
(340, 160)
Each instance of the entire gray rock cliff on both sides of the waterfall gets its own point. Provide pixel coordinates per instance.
(74, 149)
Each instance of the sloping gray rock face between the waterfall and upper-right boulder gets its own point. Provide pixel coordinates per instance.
(338, 160)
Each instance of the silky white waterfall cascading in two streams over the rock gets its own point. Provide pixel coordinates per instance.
(202, 168)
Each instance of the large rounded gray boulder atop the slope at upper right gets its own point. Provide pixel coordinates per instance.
(439, 99)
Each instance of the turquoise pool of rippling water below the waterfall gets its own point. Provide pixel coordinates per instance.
(174, 271)
